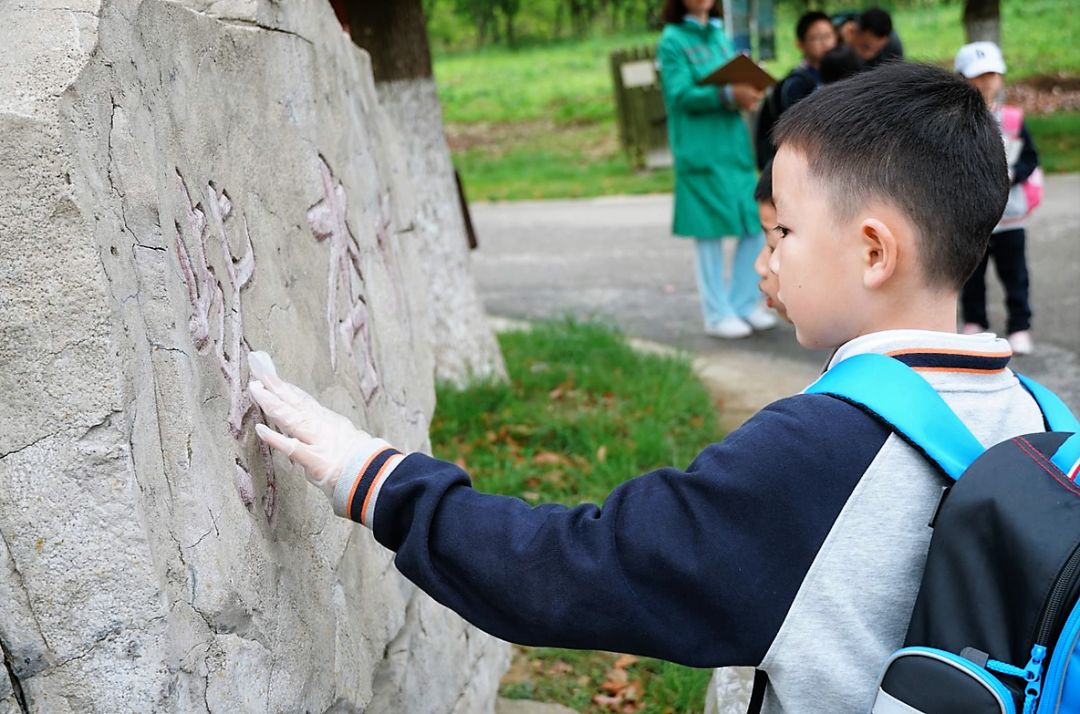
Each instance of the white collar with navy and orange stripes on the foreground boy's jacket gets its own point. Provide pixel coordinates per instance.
(929, 352)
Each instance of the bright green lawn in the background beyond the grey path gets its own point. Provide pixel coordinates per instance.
(538, 123)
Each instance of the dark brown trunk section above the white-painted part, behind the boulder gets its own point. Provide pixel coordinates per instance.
(395, 34)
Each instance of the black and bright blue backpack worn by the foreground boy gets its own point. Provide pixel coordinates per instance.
(996, 625)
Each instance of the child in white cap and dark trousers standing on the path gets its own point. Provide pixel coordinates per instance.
(982, 64)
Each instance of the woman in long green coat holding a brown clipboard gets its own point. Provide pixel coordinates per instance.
(714, 167)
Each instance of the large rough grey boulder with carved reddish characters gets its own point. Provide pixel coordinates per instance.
(183, 183)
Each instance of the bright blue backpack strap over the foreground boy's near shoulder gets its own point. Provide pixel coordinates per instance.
(898, 396)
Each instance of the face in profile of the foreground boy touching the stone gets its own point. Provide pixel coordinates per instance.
(817, 262)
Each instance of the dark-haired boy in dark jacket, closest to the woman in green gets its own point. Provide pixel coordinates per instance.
(815, 37)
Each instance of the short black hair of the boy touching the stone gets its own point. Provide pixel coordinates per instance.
(920, 139)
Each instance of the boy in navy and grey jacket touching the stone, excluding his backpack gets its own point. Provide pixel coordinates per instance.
(798, 544)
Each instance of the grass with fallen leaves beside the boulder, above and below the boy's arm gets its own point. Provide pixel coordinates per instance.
(580, 414)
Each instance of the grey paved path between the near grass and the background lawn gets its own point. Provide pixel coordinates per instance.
(614, 259)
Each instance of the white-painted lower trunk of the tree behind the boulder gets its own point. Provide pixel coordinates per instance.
(464, 343)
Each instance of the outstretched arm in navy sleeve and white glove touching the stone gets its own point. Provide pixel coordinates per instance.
(698, 568)
